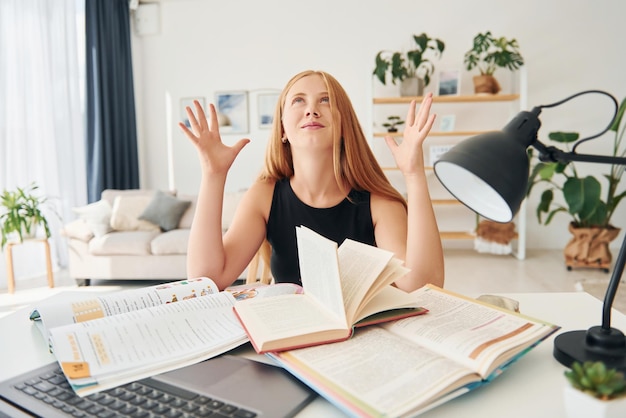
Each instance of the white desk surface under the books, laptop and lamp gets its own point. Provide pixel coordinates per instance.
(532, 387)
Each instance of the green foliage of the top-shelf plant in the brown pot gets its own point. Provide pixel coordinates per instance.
(488, 53)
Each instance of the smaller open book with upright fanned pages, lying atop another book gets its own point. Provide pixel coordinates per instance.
(344, 287)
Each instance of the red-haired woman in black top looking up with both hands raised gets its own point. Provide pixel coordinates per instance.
(319, 172)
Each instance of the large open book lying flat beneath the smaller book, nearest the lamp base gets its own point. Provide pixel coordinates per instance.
(406, 367)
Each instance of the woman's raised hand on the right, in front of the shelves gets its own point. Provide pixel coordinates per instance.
(409, 154)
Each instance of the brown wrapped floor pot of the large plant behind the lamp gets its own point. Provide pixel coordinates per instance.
(589, 247)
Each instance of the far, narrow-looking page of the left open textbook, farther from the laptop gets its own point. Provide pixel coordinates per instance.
(79, 307)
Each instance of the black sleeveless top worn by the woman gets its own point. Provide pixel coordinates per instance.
(352, 218)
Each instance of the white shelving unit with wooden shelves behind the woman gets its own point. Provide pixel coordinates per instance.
(471, 115)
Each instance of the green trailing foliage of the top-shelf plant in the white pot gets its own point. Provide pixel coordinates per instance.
(413, 63)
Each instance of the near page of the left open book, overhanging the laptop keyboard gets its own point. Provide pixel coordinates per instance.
(133, 343)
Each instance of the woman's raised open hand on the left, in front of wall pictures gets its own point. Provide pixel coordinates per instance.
(215, 156)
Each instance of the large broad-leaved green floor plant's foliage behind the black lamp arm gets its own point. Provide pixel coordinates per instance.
(582, 195)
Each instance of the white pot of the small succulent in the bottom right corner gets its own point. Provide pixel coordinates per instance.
(581, 405)
